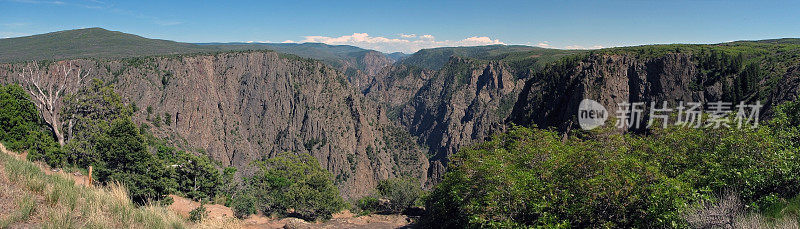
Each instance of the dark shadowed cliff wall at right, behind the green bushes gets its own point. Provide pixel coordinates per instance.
(551, 98)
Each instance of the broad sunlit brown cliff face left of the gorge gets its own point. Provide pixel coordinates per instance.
(240, 107)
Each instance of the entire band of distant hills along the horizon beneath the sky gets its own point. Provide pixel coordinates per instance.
(105, 44)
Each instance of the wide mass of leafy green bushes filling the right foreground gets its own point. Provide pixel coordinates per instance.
(533, 177)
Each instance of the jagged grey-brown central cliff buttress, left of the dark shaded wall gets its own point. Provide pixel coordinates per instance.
(466, 101)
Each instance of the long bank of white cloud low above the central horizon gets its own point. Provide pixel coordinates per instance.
(407, 43)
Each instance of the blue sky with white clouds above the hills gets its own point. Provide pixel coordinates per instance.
(410, 25)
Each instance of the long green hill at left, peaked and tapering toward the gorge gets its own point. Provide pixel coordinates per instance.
(105, 44)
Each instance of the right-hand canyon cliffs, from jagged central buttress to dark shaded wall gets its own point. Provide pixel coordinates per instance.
(468, 100)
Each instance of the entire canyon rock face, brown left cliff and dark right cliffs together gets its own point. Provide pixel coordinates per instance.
(239, 107)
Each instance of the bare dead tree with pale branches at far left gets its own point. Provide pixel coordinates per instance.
(48, 89)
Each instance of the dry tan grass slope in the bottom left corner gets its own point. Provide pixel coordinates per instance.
(65, 204)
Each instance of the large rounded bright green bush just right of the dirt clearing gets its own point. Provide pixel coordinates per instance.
(529, 177)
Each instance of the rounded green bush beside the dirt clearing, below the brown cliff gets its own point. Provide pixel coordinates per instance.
(290, 181)
